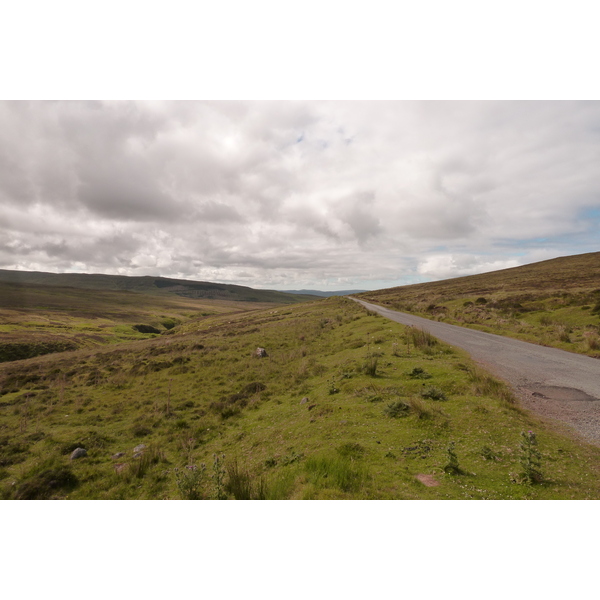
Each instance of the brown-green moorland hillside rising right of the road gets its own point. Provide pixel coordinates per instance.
(553, 303)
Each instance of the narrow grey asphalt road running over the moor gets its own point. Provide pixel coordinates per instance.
(552, 383)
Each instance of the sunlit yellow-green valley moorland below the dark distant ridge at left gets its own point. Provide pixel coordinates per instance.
(37, 319)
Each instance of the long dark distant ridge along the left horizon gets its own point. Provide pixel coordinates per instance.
(152, 285)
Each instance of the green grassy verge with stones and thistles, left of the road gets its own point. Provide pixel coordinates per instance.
(202, 392)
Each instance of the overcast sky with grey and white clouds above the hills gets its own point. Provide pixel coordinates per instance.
(289, 195)
